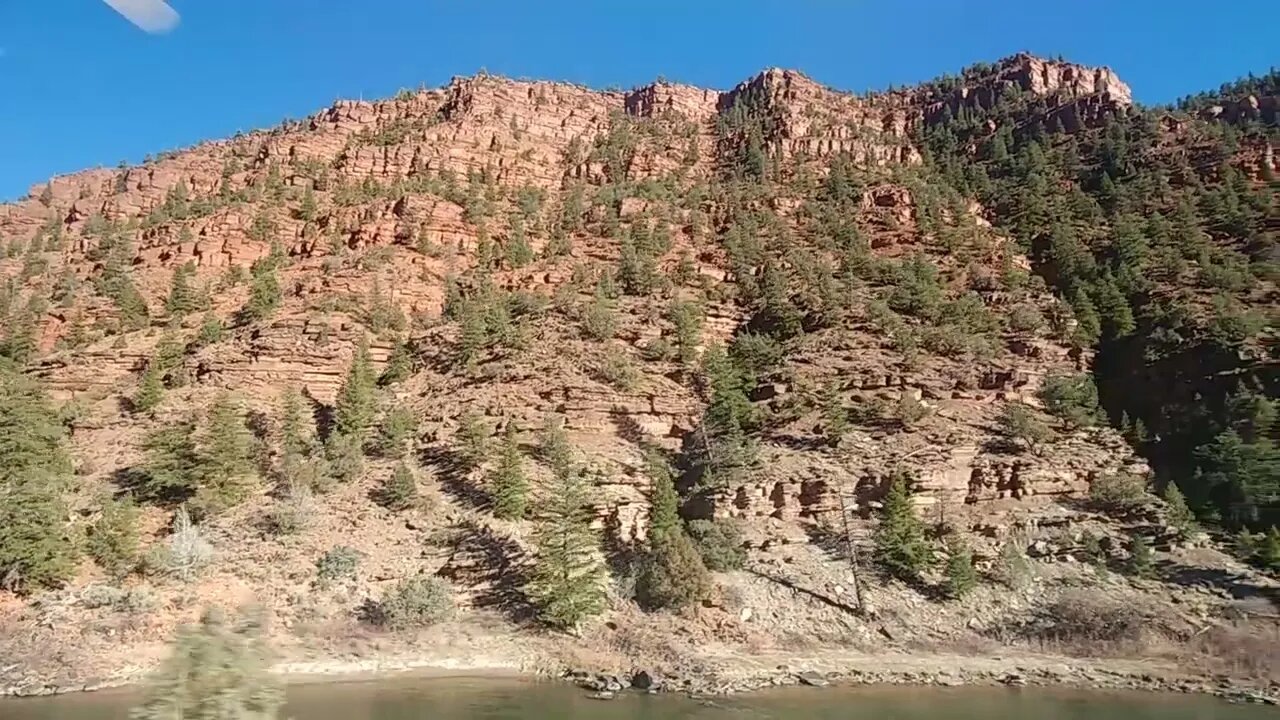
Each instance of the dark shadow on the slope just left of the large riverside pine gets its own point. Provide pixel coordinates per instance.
(493, 568)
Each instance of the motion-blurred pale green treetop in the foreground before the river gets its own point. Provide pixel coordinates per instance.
(218, 671)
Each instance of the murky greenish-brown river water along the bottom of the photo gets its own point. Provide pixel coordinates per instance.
(464, 699)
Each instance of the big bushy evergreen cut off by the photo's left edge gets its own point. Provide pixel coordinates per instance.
(35, 550)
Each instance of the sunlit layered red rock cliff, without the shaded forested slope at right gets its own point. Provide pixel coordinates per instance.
(776, 204)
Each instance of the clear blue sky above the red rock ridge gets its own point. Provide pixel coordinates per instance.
(80, 86)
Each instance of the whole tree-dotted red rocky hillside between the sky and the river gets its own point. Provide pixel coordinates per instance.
(797, 299)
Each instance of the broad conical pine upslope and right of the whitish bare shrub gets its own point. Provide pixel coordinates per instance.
(226, 458)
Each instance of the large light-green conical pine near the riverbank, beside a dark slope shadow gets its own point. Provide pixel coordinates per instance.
(569, 578)
